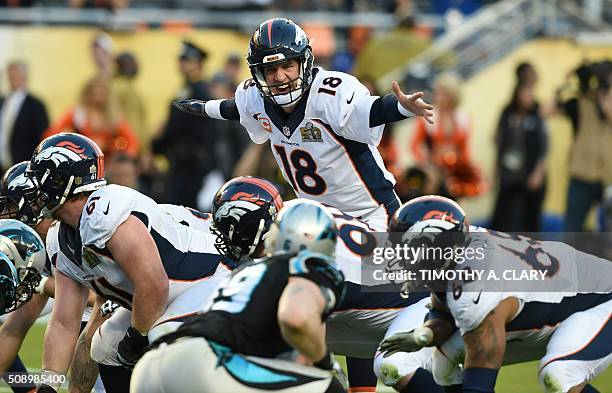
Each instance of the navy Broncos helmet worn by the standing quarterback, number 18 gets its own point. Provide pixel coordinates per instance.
(274, 42)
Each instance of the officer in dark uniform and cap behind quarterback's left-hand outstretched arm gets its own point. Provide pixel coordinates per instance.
(187, 141)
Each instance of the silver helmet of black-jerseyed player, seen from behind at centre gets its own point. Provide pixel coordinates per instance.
(303, 225)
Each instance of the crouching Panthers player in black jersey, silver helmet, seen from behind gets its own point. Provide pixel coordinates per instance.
(269, 311)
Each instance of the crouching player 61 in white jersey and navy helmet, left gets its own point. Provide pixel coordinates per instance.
(124, 247)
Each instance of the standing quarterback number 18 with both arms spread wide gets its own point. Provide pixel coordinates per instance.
(323, 126)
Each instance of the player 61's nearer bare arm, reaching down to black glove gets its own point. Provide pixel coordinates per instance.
(135, 251)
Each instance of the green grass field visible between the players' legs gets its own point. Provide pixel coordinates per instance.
(513, 379)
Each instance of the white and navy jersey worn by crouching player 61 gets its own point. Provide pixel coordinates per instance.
(187, 254)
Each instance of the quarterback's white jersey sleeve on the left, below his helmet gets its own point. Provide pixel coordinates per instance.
(252, 113)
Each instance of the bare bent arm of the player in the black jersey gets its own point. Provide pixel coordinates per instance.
(299, 317)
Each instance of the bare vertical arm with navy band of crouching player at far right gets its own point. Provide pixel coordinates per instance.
(485, 347)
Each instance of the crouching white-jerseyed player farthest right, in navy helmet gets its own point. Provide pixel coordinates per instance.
(499, 323)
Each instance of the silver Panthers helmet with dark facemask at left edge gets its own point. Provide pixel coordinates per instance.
(26, 250)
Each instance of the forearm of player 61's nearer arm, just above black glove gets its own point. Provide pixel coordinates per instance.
(148, 305)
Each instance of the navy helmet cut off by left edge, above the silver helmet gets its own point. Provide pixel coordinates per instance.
(18, 194)
